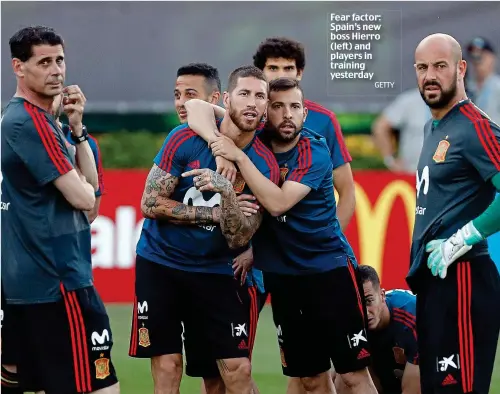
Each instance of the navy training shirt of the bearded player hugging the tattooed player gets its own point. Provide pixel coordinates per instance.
(306, 239)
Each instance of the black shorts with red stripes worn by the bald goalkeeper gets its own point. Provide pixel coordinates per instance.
(458, 326)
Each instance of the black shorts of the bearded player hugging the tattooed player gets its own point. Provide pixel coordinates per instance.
(320, 318)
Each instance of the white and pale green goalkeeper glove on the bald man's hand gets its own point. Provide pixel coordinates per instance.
(443, 252)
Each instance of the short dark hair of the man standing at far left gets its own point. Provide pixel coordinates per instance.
(22, 42)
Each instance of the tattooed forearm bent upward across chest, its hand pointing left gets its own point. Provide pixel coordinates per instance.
(236, 227)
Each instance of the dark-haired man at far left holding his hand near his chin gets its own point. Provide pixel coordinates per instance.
(46, 250)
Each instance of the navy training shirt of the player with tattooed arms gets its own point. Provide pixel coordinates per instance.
(196, 248)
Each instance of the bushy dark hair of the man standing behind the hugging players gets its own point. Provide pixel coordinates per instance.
(276, 47)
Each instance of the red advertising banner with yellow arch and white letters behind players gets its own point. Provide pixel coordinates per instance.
(380, 232)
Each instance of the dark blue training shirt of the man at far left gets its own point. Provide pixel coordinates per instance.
(45, 241)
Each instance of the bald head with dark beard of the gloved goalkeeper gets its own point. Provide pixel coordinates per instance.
(440, 70)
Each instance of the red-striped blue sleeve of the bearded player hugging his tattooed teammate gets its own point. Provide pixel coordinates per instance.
(313, 163)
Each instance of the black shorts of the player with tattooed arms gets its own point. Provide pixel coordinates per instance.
(217, 322)
